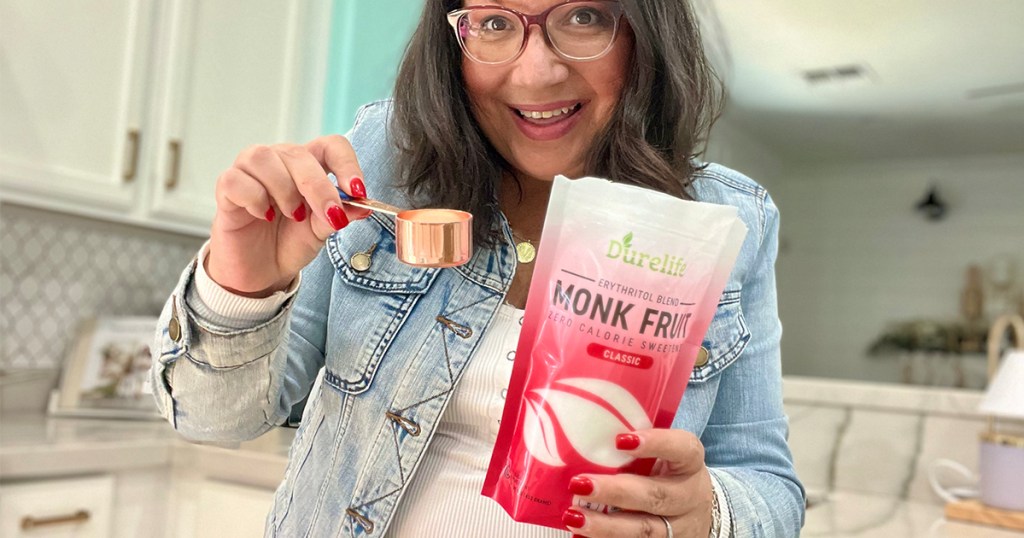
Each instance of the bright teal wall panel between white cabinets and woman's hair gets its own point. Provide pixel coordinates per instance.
(368, 39)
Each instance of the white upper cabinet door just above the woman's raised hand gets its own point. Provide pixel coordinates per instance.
(233, 80)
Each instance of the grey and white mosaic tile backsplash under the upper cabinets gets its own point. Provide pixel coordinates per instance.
(57, 270)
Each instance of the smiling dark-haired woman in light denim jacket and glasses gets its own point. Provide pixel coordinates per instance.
(399, 371)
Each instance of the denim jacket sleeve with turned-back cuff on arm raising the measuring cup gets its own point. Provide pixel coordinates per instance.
(216, 384)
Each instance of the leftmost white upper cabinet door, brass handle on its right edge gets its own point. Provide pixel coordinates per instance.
(72, 92)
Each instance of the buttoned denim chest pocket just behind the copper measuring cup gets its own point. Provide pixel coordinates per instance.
(374, 295)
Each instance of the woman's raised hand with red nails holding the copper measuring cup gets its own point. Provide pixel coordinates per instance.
(276, 208)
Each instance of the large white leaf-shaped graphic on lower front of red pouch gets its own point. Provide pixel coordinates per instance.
(553, 430)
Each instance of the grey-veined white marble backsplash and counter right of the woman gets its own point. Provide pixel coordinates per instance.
(875, 449)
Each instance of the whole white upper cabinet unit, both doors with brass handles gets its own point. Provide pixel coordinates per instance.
(130, 110)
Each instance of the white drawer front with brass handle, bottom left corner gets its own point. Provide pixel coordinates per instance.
(56, 509)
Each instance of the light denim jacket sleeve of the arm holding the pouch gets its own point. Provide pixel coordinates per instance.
(746, 439)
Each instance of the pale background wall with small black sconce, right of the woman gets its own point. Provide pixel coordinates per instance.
(856, 255)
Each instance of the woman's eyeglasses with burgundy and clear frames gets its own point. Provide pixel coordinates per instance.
(578, 30)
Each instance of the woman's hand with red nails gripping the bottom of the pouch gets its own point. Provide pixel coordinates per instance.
(679, 489)
